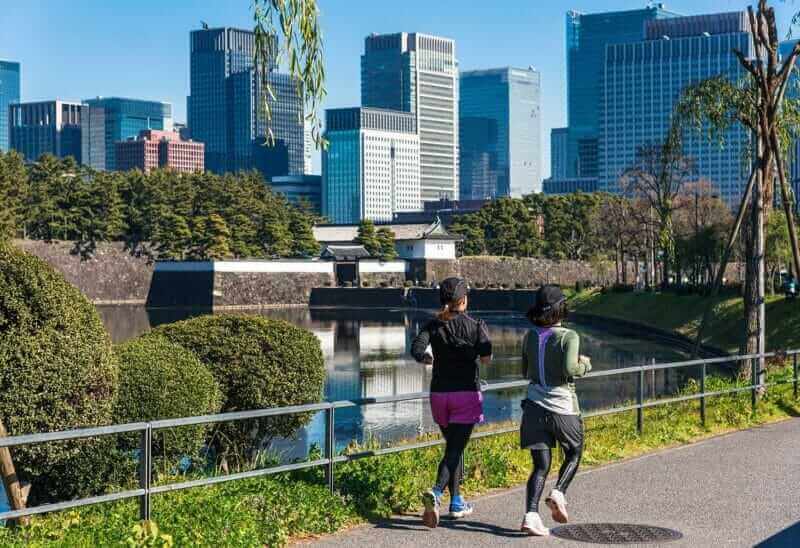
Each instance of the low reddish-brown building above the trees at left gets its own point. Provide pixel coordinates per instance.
(159, 149)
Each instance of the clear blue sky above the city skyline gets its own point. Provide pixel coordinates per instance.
(76, 49)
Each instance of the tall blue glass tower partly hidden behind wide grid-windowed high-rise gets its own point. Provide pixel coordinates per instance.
(588, 35)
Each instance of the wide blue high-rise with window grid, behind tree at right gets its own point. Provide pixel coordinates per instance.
(644, 81)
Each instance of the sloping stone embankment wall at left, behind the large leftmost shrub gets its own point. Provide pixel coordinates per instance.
(111, 276)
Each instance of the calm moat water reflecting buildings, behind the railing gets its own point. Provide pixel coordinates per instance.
(367, 355)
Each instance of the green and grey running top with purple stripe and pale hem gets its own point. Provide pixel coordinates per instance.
(552, 360)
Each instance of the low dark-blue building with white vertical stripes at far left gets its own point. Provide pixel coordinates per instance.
(46, 127)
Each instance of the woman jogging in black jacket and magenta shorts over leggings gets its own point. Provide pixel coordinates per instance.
(457, 343)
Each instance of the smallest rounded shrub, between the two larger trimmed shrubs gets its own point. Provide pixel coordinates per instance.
(159, 379)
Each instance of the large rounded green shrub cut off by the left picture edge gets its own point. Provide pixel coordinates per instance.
(57, 372)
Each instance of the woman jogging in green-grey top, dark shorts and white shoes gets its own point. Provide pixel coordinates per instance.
(551, 361)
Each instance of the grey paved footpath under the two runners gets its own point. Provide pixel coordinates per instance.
(741, 489)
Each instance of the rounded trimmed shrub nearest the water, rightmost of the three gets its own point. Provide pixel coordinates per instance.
(259, 363)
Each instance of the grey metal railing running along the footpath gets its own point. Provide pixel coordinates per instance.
(145, 429)
